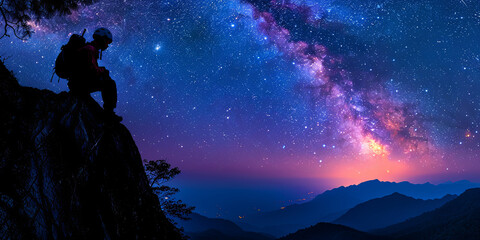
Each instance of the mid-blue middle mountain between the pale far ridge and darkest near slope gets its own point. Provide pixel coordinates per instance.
(382, 212)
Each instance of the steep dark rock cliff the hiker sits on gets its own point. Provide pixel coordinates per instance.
(66, 174)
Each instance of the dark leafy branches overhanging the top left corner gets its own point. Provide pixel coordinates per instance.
(17, 14)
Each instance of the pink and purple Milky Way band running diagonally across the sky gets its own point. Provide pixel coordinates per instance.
(369, 118)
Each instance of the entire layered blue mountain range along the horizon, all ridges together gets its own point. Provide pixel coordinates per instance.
(403, 217)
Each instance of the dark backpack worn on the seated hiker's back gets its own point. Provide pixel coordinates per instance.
(65, 62)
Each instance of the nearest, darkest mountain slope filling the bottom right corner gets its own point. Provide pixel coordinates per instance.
(458, 219)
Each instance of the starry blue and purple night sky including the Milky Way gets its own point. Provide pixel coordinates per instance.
(263, 101)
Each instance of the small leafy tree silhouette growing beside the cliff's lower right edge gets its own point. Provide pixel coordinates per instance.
(159, 172)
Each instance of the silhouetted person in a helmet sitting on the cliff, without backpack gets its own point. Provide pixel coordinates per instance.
(88, 77)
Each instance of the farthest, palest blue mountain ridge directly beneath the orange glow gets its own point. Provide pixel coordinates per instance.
(332, 204)
